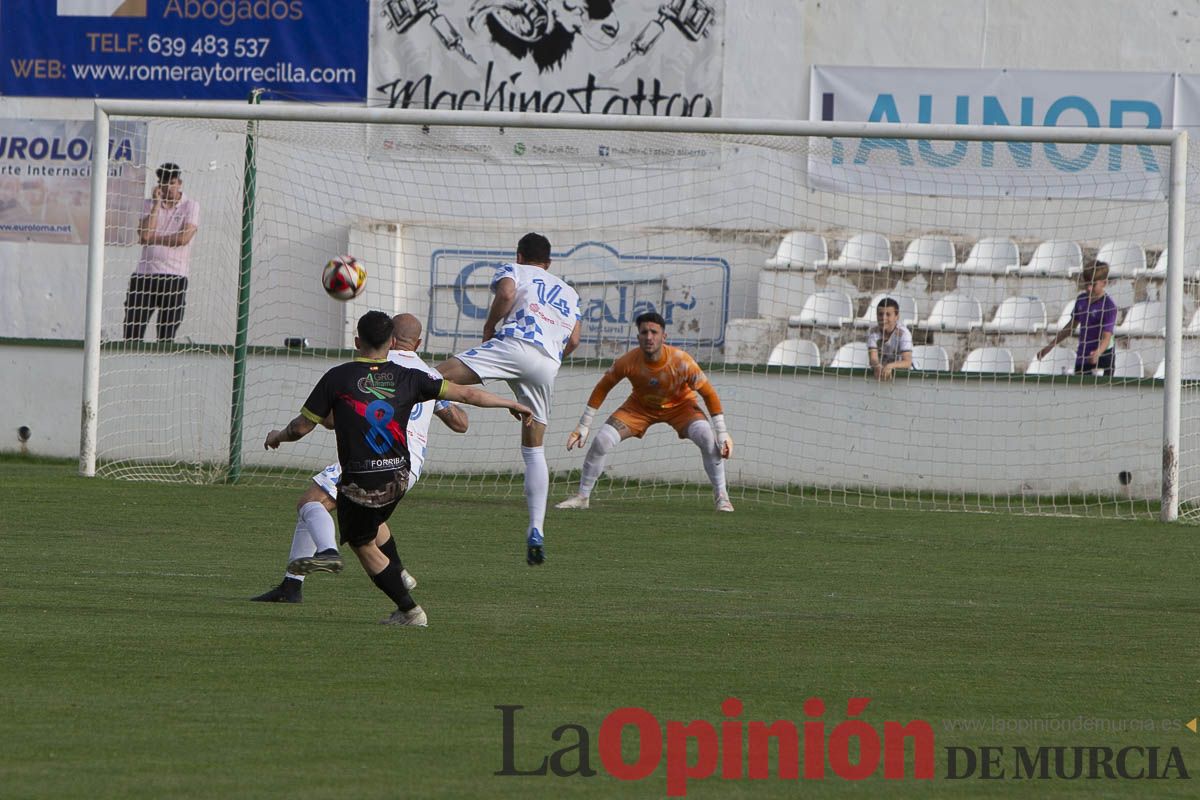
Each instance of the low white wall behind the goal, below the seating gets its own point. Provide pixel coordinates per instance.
(922, 434)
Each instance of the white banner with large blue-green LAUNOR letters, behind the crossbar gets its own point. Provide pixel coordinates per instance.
(993, 98)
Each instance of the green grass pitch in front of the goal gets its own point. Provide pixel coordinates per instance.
(133, 665)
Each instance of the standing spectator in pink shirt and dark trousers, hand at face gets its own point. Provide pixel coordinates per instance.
(160, 281)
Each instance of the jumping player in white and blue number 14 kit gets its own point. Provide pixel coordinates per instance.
(533, 323)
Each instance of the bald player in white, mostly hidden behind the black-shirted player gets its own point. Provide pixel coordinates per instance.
(315, 525)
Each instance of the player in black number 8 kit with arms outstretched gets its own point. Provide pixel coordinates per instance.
(371, 400)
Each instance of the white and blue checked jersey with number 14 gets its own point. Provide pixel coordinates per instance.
(545, 310)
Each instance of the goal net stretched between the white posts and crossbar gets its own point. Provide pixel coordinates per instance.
(767, 252)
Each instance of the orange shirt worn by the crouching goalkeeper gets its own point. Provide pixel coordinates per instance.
(670, 382)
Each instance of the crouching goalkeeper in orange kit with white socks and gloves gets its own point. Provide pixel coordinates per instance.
(668, 387)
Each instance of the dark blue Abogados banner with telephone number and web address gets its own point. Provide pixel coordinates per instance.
(176, 50)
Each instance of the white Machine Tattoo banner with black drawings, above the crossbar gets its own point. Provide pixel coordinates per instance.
(589, 57)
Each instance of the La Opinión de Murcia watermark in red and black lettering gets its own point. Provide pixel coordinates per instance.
(734, 749)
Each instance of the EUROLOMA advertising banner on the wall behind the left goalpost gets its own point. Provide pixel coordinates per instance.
(46, 179)
